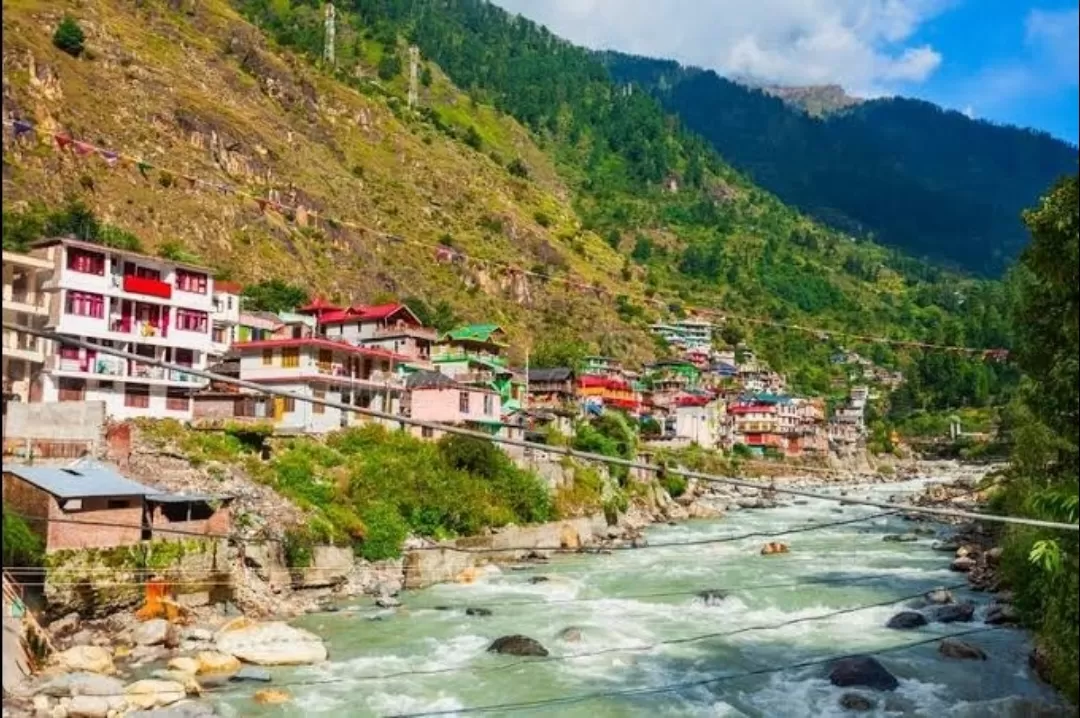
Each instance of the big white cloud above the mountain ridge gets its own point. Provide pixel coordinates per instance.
(865, 46)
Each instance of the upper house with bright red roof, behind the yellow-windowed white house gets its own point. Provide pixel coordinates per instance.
(393, 328)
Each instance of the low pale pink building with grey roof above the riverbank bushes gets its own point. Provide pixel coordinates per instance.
(437, 398)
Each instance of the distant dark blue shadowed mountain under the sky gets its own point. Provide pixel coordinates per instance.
(930, 182)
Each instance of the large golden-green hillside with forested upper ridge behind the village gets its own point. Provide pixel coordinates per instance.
(521, 154)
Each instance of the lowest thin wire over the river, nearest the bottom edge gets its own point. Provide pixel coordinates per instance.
(672, 688)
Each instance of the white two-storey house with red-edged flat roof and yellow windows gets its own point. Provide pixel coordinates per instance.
(323, 369)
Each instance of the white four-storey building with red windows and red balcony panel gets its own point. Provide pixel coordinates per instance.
(147, 306)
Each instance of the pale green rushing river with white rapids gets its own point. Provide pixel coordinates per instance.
(613, 601)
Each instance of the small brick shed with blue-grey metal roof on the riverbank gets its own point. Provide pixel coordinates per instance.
(90, 506)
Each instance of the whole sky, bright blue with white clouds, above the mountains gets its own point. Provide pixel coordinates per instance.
(1007, 61)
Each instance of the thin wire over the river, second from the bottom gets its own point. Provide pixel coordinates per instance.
(628, 649)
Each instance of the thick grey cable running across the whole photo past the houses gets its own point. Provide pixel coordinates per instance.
(951, 513)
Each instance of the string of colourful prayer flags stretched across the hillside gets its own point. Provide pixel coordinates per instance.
(444, 254)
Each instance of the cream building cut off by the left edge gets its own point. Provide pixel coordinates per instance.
(25, 303)
